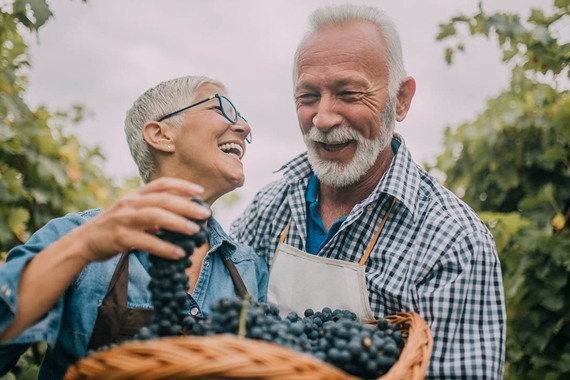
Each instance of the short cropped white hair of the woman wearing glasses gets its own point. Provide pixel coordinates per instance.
(164, 98)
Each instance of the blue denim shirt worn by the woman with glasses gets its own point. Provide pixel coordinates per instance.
(68, 325)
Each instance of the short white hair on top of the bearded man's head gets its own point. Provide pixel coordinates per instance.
(347, 13)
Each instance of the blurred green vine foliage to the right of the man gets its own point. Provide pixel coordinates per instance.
(512, 165)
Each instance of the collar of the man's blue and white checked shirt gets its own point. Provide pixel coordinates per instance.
(401, 180)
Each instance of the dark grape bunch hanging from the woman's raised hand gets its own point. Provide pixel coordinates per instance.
(169, 283)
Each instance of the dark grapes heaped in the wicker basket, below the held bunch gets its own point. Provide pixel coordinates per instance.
(335, 337)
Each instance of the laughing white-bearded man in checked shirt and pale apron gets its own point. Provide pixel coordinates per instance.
(354, 223)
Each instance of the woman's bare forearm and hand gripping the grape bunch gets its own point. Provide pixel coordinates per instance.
(130, 223)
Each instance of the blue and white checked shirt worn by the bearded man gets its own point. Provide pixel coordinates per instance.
(434, 256)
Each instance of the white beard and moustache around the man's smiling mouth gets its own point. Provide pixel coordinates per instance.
(336, 174)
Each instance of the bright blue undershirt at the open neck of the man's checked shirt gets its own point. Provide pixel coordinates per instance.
(317, 235)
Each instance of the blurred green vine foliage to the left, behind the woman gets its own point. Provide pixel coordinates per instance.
(44, 172)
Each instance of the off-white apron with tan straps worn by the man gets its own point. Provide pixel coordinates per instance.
(299, 280)
